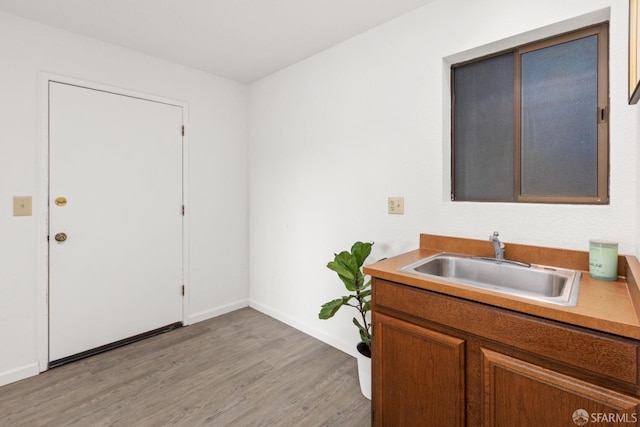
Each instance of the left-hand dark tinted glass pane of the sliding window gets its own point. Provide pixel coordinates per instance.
(483, 129)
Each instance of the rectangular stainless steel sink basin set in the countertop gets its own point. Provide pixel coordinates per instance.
(549, 284)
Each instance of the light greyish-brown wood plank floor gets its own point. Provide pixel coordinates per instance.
(240, 369)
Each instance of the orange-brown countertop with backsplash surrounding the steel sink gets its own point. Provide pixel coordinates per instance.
(606, 306)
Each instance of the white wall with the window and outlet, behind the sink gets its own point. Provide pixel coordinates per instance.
(333, 136)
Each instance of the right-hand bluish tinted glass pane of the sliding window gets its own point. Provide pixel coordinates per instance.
(559, 134)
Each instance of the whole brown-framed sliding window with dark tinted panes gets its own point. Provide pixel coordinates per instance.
(531, 124)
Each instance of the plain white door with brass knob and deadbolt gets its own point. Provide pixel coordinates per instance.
(115, 192)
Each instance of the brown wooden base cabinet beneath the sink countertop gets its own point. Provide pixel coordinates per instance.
(444, 361)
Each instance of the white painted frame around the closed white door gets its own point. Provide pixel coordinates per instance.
(41, 208)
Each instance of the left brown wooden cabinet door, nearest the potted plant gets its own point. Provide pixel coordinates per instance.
(418, 375)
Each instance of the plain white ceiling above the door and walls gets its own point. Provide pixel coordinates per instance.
(243, 40)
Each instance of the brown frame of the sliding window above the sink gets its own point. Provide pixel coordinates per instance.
(602, 196)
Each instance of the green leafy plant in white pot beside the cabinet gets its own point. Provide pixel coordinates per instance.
(348, 266)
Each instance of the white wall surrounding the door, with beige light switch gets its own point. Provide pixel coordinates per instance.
(217, 136)
